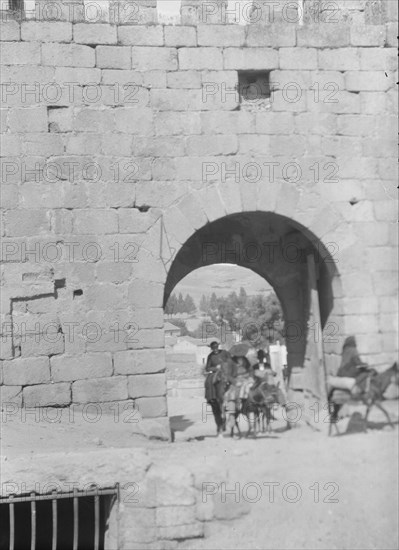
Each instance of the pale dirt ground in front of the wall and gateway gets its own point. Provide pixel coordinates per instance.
(342, 492)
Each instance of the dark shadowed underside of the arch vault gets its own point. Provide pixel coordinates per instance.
(276, 248)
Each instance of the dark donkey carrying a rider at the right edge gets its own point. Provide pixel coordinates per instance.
(371, 393)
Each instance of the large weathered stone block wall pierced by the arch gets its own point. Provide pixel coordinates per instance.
(138, 149)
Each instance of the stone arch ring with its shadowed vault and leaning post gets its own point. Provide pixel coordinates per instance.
(200, 230)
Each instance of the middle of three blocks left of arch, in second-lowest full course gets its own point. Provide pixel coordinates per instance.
(90, 365)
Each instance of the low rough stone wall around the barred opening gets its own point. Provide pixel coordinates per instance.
(161, 503)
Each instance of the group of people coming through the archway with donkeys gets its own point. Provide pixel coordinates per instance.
(230, 379)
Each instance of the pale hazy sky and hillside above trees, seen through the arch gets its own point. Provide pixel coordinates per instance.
(221, 279)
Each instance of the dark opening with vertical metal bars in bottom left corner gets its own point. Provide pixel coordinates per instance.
(58, 521)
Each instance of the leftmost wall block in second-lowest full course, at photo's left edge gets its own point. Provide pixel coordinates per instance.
(26, 371)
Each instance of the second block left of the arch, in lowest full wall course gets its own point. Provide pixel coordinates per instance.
(97, 390)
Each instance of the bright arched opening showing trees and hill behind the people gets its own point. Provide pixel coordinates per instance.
(222, 302)
